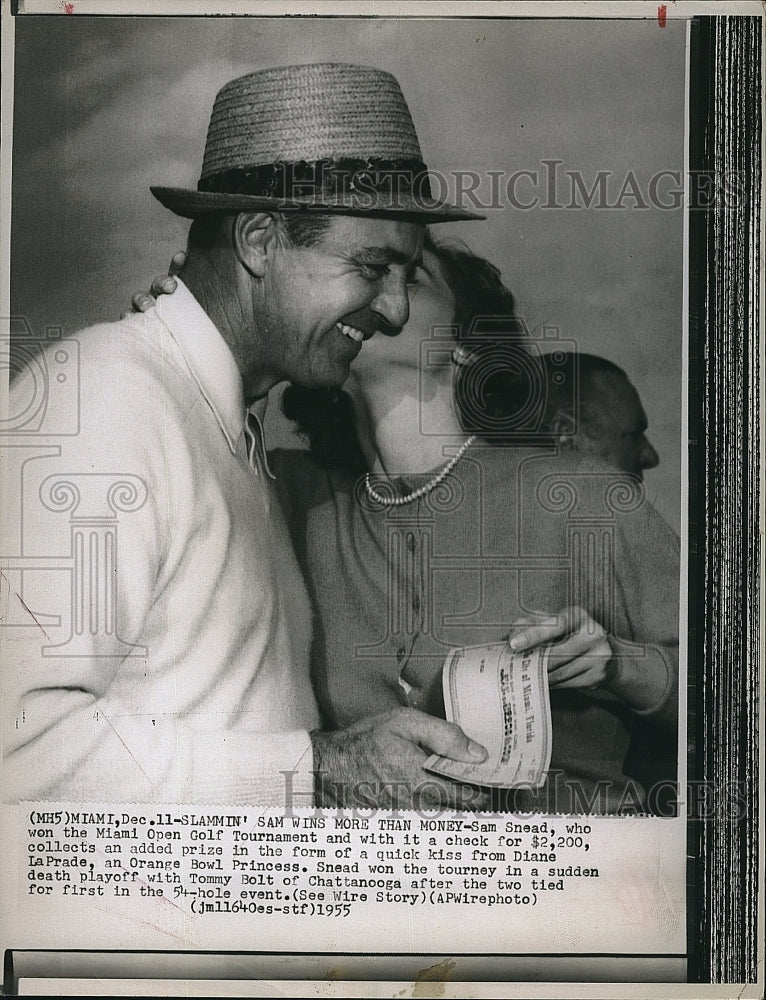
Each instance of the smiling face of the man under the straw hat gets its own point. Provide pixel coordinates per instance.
(325, 300)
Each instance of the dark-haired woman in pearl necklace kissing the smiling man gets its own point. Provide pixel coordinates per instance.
(427, 516)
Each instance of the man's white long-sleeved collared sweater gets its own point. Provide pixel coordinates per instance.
(180, 669)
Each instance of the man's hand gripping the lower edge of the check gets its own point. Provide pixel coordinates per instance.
(378, 763)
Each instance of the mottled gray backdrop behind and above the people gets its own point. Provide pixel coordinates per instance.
(104, 107)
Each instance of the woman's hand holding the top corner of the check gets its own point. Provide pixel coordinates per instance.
(580, 655)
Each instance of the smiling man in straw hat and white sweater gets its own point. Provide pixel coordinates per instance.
(185, 676)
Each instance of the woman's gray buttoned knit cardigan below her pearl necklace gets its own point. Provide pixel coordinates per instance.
(509, 531)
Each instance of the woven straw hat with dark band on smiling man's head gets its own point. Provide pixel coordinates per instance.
(332, 137)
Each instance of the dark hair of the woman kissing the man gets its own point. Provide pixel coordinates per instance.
(492, 389)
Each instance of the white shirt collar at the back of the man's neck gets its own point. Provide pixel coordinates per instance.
(209, 358)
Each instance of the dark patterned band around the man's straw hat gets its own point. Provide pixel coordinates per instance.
(388, 183)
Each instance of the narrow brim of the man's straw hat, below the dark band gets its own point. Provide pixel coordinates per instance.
(191, 204)
